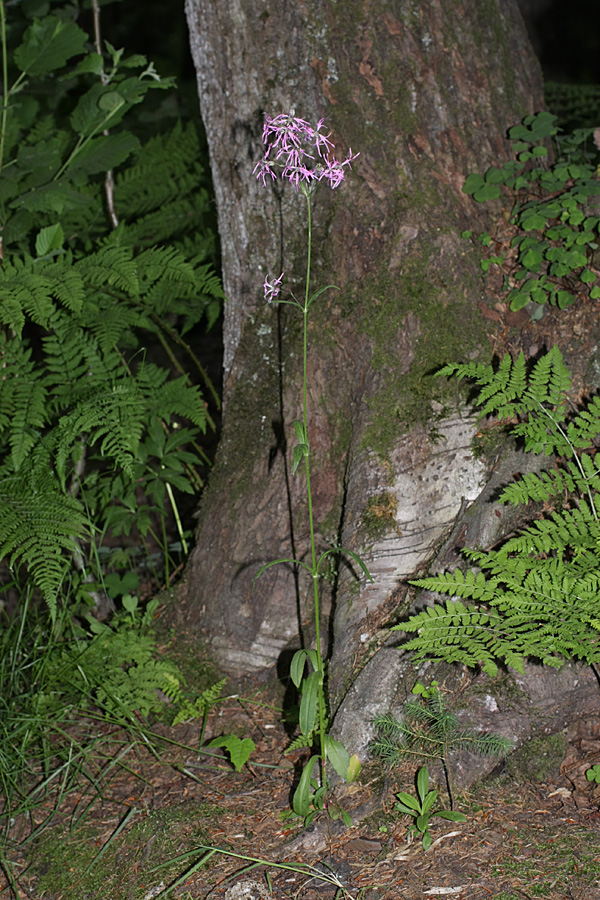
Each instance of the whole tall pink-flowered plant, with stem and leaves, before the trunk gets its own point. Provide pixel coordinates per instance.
(302, 155)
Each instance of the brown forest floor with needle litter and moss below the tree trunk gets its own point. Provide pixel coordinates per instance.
(140, 829)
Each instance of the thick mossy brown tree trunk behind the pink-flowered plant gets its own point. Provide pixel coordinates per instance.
(425, 92)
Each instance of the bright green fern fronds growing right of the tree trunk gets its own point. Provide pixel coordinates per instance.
(536, 596)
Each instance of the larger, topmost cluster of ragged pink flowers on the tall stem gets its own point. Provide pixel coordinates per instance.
(302, 152)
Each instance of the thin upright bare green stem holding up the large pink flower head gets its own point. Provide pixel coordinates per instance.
(313, 549)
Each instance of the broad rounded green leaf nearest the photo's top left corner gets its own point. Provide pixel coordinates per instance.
(48, 44)
